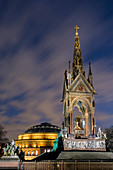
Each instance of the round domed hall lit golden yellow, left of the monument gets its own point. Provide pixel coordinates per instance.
(37, 140)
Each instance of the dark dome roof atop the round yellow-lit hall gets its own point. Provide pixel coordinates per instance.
(43, 127)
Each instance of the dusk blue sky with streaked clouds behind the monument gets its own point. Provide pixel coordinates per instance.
(36, 43)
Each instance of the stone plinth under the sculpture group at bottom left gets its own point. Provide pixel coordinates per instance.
(9, 162)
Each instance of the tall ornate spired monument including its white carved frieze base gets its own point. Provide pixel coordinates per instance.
(78, 92)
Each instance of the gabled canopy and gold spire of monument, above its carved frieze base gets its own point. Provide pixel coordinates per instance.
(78, 92)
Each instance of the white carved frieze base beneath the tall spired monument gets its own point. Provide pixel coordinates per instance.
(85, 144)
